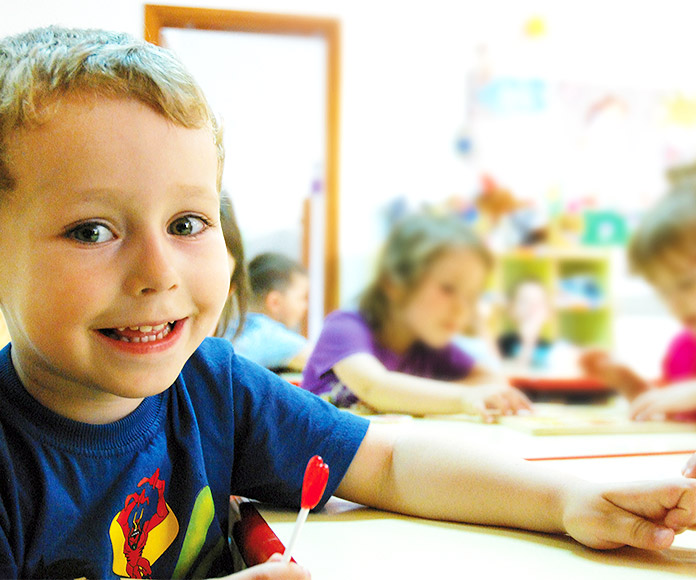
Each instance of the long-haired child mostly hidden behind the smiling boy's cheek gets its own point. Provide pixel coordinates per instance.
(234, 312)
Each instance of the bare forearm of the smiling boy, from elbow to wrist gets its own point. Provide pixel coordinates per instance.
(436, 476)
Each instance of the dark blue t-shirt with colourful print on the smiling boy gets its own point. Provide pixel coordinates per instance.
(151, 491)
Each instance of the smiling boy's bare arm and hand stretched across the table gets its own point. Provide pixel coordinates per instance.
(433, 476)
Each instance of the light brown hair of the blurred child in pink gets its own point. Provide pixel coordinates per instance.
(670, 225)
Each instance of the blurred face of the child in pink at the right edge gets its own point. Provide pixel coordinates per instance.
(674, 277)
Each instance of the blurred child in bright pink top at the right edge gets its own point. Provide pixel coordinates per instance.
(663, 251)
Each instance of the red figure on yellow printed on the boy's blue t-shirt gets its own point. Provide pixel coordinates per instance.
(142, 531)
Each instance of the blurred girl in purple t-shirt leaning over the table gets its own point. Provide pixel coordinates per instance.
(396, 353)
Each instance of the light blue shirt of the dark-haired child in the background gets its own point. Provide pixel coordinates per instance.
(266, 341)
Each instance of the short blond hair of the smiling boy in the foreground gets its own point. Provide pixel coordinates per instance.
(40, 67)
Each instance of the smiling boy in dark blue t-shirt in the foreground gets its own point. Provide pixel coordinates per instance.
(123, 429)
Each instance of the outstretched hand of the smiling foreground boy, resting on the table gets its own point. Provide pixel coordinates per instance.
(645, 515)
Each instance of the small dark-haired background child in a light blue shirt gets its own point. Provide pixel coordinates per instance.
(279, 294)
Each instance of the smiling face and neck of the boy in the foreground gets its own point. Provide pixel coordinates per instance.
(113, 267)
